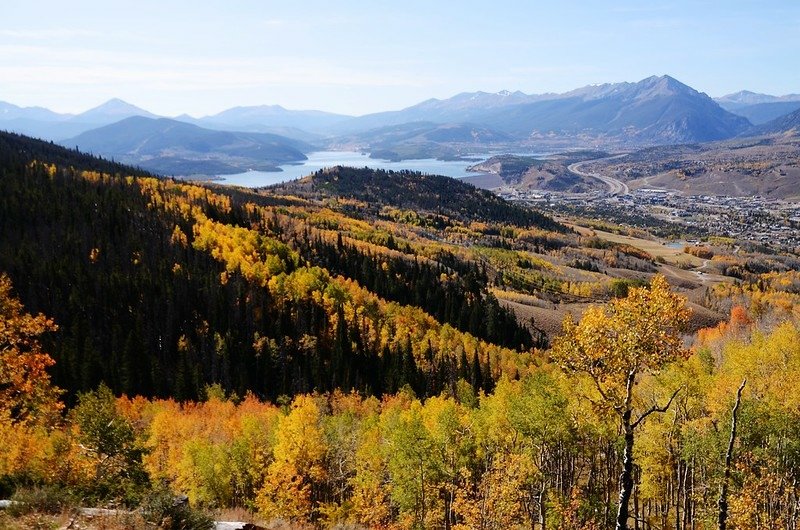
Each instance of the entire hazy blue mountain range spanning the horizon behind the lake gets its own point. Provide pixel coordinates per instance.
(653, 111)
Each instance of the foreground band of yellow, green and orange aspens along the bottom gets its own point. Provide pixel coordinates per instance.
(540, 452)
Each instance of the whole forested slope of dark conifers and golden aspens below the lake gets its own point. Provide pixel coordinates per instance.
(326, 355)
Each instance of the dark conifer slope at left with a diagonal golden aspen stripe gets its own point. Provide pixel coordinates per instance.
(161, 288)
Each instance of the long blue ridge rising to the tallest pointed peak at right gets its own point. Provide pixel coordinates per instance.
(655, 110)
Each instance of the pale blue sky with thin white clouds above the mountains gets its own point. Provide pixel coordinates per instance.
(356, 57)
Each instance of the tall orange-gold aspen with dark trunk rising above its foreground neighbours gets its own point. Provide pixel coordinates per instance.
(617, 344)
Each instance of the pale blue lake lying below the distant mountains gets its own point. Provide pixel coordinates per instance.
(323, 159)
